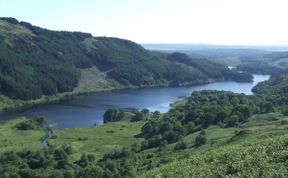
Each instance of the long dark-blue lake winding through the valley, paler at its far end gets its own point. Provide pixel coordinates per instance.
(87, 110)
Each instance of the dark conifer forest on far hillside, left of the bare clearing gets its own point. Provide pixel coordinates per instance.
(30, 71)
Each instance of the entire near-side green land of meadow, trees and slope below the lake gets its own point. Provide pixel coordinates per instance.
(209, 134)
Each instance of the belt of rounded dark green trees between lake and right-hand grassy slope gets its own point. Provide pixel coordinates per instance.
(201, 110)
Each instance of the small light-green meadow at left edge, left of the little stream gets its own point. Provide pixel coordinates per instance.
(12, 139)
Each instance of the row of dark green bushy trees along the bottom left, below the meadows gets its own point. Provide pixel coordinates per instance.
(53, 162)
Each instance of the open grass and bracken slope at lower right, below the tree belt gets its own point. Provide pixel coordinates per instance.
(231, 149)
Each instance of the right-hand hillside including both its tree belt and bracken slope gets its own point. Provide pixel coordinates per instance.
(253, 147)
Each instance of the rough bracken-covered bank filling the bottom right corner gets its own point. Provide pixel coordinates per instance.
(255, 158)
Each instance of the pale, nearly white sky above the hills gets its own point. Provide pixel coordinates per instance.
(161, 21)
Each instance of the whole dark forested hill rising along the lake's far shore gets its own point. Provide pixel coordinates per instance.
(36, 62)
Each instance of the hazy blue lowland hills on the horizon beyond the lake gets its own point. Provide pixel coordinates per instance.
(263, 59)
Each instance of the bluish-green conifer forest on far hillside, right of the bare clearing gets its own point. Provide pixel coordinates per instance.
(131, 64)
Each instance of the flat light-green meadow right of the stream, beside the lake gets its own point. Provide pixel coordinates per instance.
(100, 139)
